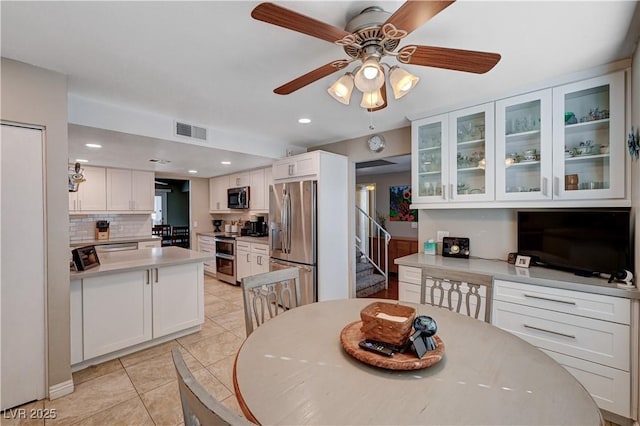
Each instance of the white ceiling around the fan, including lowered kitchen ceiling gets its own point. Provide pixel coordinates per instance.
(211, 64)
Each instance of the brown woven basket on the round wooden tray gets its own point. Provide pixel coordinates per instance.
(387, 322)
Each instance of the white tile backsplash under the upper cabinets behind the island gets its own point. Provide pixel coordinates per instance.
(83, 227)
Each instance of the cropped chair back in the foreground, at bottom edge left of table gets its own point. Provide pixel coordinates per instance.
(198, 406)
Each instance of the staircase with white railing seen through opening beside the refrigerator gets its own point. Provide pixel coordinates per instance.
(371, 274)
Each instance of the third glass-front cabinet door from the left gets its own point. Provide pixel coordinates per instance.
(524, 156)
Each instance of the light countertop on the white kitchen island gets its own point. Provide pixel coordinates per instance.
(122, 261)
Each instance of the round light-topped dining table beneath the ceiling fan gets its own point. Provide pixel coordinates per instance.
(293, 370)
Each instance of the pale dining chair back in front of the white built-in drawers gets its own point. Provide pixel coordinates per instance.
(462, 292)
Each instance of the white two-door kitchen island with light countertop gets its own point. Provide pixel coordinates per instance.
(134, 300)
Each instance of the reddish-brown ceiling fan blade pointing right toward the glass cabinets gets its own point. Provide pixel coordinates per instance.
(452, 59)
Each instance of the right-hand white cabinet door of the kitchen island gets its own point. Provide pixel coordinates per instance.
(178, 302)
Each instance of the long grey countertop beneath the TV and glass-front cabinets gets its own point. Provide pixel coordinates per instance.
(535, 275)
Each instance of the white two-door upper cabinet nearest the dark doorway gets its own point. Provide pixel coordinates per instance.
(130, 190)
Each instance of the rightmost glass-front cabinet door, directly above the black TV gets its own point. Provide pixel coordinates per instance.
(588, 134)
